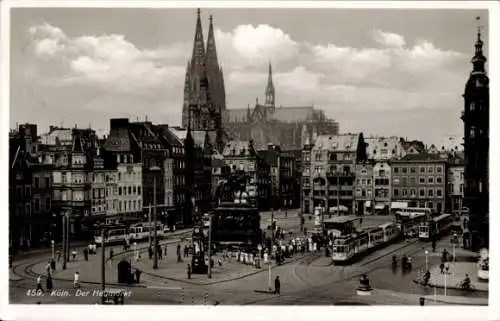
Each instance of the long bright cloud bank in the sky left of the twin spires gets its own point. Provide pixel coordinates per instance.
(109, 61)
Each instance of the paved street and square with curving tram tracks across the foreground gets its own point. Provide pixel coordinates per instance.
(310, 279)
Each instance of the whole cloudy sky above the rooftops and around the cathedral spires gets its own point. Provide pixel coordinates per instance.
(383, 72)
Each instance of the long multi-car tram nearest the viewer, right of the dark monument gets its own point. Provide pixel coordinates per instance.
(347, 248)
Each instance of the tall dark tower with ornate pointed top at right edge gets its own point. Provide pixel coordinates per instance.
(476, 144)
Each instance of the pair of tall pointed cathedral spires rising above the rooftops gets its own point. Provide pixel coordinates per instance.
(204, 105)
